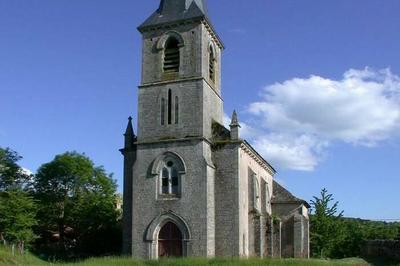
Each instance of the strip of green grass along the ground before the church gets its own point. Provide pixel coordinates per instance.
(6, 259)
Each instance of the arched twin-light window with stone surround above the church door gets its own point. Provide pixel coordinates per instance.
(169, 169)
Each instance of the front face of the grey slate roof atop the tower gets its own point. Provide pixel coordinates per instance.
(176, 10)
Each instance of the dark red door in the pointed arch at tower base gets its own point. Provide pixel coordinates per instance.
(170, 241)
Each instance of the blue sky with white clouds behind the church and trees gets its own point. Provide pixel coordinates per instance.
(316, 85)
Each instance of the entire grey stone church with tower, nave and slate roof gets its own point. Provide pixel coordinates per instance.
(191, 186)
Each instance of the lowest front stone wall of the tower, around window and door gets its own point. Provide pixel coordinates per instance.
(195, 205)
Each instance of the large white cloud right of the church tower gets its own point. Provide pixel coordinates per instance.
(296, 120)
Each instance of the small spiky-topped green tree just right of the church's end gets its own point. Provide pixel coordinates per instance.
(325, 231)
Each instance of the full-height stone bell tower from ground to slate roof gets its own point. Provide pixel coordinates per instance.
(169, 177)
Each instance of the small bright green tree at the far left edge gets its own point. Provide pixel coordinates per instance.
(17, 217)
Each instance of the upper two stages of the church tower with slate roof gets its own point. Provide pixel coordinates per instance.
(180, 91)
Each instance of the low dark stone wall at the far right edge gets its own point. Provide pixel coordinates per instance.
(389, 249)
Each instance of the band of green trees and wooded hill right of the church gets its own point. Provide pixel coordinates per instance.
(335, 236)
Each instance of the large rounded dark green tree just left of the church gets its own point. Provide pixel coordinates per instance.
(77, 206)
